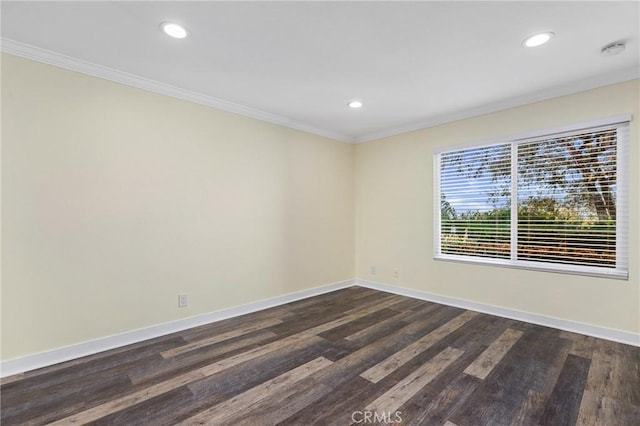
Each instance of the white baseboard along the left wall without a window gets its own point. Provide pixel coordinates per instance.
(45, 359)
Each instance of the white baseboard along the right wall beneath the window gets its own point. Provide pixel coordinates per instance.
(562, 324)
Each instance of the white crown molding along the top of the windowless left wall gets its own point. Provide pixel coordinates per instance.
(38, 54)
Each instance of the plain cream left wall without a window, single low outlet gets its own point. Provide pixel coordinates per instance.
(114, 200)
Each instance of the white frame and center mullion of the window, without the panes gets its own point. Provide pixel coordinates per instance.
(621, 270)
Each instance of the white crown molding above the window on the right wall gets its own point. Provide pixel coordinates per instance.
(620, 76)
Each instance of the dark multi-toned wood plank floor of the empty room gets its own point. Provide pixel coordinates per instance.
(354, 356)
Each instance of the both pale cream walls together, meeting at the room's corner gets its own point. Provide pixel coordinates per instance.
(114, 200)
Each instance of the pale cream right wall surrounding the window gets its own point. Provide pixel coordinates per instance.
(394, 217)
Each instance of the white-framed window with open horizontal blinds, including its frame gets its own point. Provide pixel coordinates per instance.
(554, 200)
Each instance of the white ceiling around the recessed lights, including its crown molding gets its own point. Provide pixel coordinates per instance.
(413, 64)
